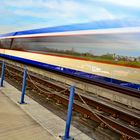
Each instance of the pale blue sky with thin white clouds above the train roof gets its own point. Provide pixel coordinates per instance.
(16, 15)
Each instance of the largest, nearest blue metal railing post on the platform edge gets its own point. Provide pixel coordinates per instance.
(69, 115)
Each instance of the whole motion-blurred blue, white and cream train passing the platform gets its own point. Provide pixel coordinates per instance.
(109, 53)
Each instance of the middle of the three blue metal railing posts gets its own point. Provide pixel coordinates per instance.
(23, 86)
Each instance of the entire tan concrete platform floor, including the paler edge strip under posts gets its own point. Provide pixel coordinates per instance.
(29, 121)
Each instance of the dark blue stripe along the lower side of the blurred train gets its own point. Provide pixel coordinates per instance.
(74, 72)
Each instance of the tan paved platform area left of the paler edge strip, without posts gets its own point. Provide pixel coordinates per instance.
(15, 124)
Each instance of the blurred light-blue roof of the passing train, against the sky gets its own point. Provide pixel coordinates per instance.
(98, 25)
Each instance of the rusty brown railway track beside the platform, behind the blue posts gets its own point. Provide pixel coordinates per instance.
(107, 114)
